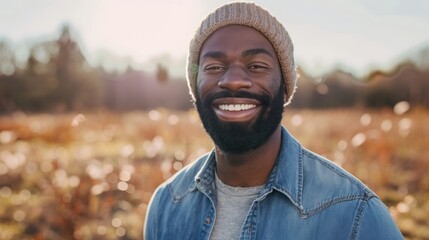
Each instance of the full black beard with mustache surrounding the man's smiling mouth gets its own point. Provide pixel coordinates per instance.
(239, 138)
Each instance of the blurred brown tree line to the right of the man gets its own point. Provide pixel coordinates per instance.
(406, 82)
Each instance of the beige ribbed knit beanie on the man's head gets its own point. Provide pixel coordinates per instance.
(251, 15)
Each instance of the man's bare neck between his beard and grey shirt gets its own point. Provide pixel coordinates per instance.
(251, 168)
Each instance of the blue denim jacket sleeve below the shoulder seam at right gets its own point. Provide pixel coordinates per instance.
(377, 223)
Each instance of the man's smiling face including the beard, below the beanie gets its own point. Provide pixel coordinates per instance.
(240, 93)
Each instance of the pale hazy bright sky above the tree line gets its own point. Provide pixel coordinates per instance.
(353, 35)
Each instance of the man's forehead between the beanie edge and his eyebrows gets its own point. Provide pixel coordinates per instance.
(235, 39)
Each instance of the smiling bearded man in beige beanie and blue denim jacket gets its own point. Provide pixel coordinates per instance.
(258, 182)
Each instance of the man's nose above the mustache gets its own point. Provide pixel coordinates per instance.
(234, 79)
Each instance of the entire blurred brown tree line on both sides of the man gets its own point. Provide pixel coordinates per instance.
(56, 77)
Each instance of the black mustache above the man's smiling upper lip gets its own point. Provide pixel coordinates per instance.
(263, 98)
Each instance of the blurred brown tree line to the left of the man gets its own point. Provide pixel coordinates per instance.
(56, 77)
